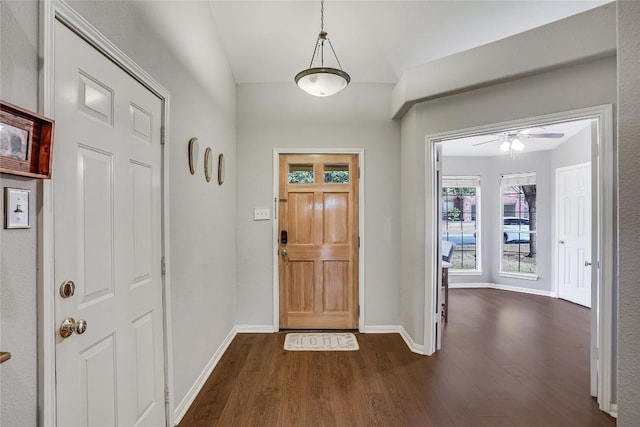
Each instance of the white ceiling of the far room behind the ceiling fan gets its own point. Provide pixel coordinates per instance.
(489, 144)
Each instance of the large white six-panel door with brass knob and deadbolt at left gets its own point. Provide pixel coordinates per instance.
(107, 230)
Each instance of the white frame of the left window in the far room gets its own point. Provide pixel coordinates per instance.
(465, 181)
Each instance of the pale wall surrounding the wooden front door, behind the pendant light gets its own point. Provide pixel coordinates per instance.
(283, 116)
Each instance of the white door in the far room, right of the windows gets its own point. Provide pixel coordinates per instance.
(573, 204)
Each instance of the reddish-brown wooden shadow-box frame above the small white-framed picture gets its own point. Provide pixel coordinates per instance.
(25, 142)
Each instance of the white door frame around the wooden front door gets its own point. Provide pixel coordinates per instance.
(276, 194)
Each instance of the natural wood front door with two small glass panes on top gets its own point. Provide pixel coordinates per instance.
(318, 241)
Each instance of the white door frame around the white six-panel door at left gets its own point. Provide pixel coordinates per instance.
(50, 12)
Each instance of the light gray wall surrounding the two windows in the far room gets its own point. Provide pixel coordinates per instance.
(543, 163)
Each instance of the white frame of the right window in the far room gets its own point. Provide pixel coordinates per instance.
(507, 181)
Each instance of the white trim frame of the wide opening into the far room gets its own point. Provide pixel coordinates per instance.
(603, 169)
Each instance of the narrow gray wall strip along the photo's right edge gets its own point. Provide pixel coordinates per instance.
(629, 178)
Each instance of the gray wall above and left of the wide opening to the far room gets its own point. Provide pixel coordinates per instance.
(579, 86)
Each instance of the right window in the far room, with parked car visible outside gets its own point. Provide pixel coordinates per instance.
(518, 219)
